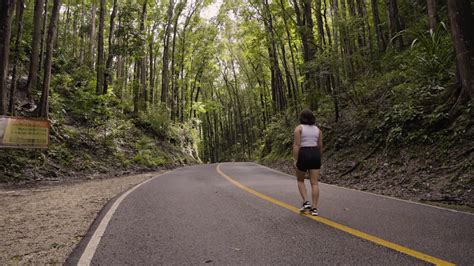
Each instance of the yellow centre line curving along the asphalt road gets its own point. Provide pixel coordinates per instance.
(341, 227)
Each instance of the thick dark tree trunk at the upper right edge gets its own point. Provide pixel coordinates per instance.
(461, 20)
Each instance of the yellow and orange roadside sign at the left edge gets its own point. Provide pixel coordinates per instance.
(22, 132)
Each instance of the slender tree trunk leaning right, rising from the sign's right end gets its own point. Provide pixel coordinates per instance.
(43, 111)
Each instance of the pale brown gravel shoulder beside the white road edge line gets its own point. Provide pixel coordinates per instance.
(42, 225)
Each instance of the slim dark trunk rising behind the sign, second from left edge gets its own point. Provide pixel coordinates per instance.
(20, 8)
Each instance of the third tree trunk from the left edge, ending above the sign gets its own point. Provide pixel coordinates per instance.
(35, 48)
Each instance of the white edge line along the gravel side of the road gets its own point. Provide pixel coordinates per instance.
(91, 247)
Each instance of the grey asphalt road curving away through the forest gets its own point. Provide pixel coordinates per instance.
(195, 215)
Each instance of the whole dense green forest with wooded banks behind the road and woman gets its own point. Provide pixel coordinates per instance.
(146, 83)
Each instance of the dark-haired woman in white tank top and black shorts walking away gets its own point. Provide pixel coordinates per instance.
(307, 151)
